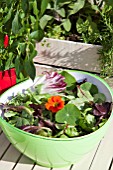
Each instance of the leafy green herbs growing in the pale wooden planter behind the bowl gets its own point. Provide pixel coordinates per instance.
(82, 21)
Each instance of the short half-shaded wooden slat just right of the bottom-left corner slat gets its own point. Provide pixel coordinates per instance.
(24, 164)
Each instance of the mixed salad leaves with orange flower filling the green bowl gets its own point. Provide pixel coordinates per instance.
(58, 107)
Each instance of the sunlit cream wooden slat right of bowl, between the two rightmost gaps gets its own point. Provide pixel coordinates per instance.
(105, 152)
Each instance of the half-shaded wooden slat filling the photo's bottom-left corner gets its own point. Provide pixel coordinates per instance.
(9, 159)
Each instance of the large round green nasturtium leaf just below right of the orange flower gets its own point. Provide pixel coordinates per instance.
(68, 115)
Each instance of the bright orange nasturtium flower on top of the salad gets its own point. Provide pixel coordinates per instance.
(54, 104)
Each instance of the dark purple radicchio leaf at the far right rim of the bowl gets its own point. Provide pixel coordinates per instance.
(102, 109)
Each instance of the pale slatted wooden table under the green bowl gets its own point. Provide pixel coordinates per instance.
(101, 158)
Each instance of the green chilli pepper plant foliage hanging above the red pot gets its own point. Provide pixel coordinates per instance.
(20, 21)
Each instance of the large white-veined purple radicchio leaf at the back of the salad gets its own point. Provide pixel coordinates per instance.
(52, 83)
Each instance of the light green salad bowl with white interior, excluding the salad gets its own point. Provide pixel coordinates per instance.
(55, 152)
